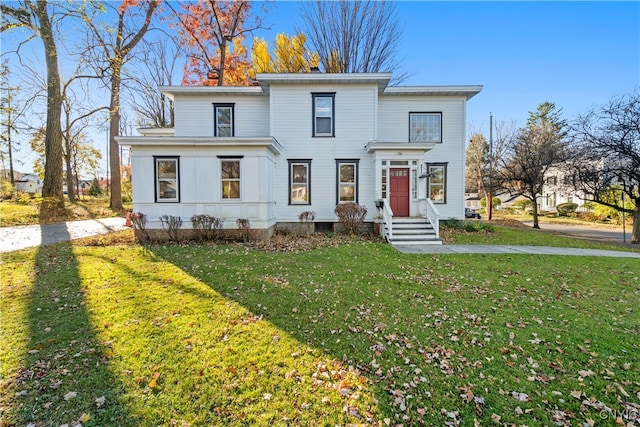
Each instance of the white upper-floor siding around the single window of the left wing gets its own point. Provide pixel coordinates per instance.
(194, 115)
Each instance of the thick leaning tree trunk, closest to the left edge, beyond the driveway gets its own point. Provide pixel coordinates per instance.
(53, 137)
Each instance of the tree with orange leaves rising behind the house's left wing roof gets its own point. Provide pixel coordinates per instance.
(213, 32)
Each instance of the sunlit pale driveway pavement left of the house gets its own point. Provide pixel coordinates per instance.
(28, 236)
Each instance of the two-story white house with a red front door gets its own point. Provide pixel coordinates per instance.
(304, 142)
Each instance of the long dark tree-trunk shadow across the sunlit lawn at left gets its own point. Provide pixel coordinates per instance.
(65, 378)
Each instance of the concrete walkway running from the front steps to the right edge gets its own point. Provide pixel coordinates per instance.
(508, 249)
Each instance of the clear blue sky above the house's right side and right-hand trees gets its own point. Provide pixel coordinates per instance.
(575, 54)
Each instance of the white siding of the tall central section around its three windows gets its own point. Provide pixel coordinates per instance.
(291, 125)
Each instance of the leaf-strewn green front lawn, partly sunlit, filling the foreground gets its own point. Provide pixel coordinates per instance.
(353, 334)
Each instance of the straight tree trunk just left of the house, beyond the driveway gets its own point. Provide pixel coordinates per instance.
(114, 130)
